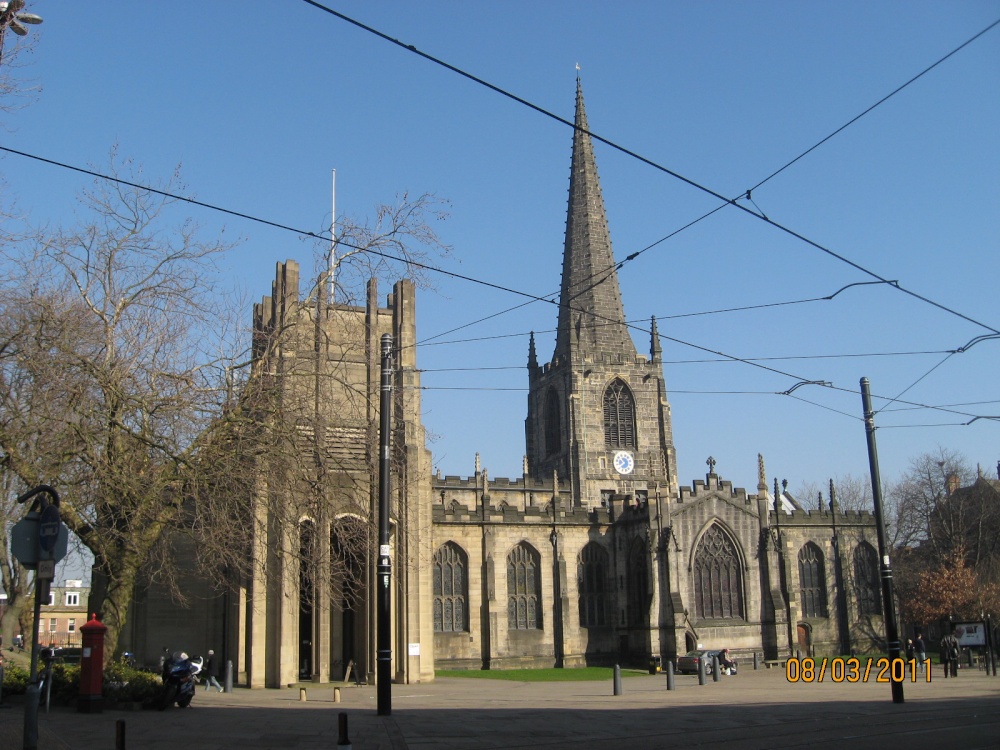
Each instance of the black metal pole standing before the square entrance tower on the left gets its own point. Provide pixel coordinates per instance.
(383, 675)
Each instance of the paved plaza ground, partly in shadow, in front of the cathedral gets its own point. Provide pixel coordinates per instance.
(752, 710)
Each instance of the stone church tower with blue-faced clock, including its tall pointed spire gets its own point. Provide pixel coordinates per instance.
(598, 414)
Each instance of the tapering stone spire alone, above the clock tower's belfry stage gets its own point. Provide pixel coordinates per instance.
(591, 316)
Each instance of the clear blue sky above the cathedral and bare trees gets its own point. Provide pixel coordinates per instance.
(259, 101)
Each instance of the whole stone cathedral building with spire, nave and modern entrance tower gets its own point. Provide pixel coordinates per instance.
(596, 554)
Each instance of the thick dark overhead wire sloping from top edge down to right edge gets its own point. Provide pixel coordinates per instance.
(649, 162)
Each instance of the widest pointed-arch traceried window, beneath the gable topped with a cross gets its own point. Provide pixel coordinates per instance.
(718, 580)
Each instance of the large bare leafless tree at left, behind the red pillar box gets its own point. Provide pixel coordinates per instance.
(111, 392)
